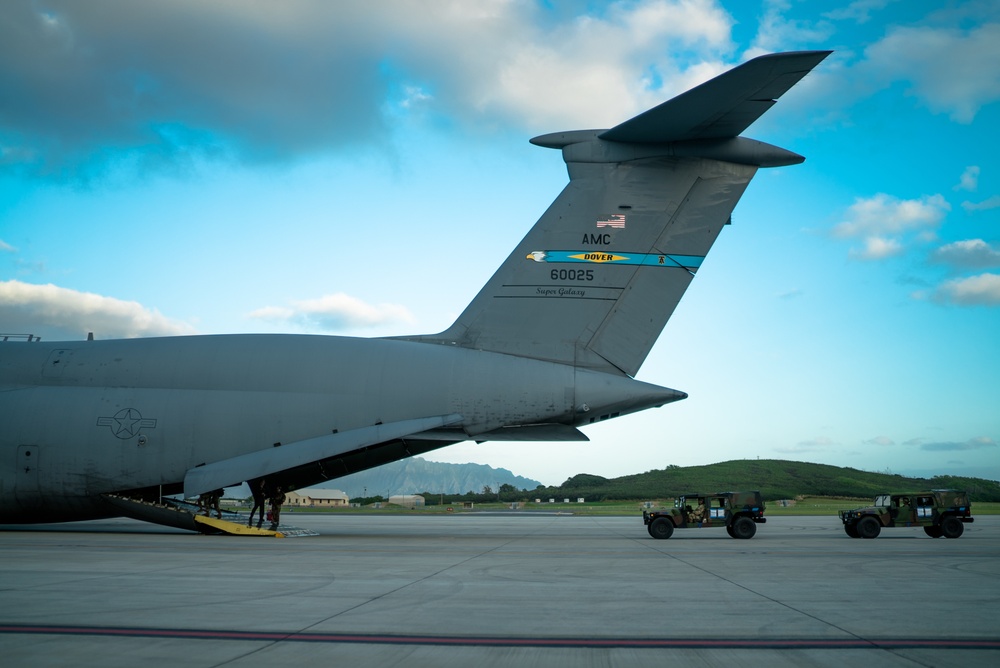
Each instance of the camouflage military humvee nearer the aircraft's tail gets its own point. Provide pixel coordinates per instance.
(739, 512)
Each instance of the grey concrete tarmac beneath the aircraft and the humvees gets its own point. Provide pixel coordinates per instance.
(507, 589)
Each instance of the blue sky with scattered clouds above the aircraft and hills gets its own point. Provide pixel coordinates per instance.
(310, 167)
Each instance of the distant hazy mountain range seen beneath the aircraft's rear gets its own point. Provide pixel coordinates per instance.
(415, 475)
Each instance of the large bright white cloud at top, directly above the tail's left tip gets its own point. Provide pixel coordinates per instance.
(589, 73)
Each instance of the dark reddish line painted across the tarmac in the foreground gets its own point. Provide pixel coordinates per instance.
(464, 641)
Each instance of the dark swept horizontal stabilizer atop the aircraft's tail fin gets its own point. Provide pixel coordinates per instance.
(720, 108)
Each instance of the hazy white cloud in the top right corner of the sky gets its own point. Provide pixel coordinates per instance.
(947, 67)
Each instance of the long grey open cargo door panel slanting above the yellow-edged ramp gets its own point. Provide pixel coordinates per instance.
(233, 471)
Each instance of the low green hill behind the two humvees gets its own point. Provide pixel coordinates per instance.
(775, 478)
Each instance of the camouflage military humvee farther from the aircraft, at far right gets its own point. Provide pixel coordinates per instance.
(941, 512)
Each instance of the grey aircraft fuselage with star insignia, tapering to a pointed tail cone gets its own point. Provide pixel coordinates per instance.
(137, 414)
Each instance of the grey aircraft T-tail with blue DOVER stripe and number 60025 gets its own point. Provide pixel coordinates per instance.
(596, 279)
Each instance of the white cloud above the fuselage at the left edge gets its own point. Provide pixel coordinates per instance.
(54, 312)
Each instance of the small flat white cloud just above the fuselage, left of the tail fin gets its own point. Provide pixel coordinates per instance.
(336, 312)
